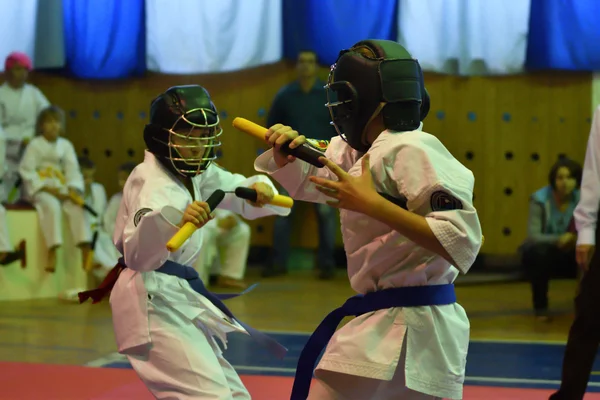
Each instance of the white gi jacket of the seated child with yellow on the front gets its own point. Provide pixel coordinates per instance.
(50, 164)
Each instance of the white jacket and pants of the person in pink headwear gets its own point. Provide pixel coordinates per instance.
(19, 110)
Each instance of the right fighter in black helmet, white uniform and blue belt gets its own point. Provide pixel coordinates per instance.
(409, 228)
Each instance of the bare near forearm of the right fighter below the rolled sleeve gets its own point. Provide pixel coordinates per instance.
(410, 225)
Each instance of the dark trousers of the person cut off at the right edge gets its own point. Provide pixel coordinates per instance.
(584, 336)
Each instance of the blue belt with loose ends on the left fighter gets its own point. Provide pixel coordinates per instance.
(190, 275)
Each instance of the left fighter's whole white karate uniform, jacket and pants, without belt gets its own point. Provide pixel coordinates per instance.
(165, 328)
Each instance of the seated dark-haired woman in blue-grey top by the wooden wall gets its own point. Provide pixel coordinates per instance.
(549, 249)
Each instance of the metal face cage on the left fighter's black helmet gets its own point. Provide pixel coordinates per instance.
(206, 144)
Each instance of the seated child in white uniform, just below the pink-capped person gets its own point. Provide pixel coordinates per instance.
(51, 180)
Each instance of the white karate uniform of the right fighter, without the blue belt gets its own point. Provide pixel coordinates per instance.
(410, 352)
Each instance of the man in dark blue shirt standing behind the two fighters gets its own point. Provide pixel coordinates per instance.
(301, 104)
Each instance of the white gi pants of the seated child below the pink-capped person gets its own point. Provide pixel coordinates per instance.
(50, 211)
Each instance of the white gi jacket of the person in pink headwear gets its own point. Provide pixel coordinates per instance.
(19, 110)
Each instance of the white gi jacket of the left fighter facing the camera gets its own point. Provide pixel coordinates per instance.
(152, 206)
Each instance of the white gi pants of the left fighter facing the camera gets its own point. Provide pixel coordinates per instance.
(183, 361)
